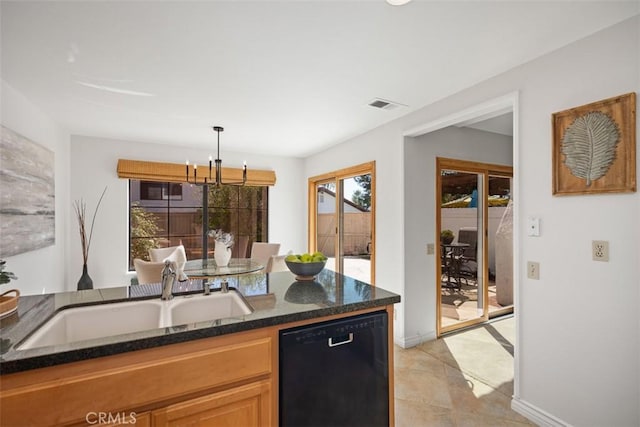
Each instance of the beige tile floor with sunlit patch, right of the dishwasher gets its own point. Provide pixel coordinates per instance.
(463, 379)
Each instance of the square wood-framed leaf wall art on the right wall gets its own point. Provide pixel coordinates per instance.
(594, 147)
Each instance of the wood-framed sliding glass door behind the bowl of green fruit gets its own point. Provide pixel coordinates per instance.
(341, 220)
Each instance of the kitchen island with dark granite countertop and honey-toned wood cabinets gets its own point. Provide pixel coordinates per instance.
(224, 368)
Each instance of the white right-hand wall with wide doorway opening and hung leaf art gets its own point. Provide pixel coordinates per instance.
(577, 349)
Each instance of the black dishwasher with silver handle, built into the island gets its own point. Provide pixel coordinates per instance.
(335, 373)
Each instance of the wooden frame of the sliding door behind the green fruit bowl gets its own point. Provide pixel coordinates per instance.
(368, 168)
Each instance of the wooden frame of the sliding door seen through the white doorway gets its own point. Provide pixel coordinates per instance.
(485, 170)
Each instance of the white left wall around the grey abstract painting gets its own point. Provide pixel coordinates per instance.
(42, 270)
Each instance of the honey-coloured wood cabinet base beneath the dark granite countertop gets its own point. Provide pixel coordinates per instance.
(230, 380)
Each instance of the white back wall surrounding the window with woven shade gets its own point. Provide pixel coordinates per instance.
(93, 166)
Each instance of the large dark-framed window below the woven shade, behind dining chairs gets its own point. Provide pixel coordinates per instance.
(165, 214)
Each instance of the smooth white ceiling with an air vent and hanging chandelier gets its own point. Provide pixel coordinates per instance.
(283, 77)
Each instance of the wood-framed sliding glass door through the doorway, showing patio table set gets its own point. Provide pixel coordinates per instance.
(474, 269)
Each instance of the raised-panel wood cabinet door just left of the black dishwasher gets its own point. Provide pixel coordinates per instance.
(247, 405)
